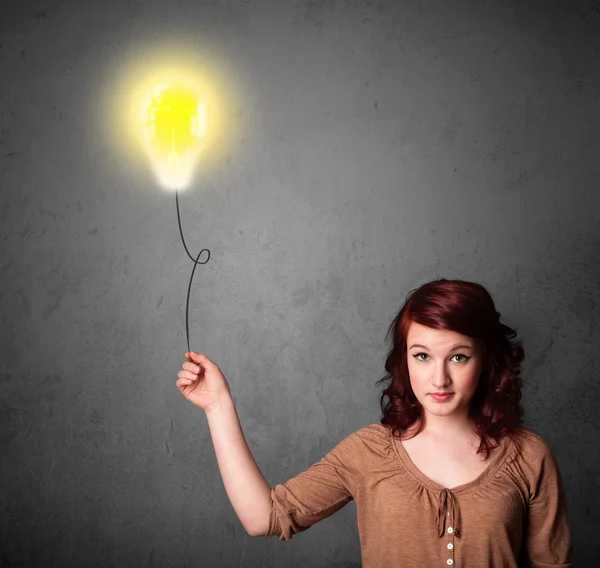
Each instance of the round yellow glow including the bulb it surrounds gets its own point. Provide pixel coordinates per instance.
(170, 108)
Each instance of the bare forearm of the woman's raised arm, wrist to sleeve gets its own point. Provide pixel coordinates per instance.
(246, 487)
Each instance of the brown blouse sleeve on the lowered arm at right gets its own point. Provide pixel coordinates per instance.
(548, 538)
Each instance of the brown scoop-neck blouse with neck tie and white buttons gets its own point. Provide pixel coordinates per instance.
(513, 514)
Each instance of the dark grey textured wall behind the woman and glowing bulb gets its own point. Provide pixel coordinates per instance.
(378, 145)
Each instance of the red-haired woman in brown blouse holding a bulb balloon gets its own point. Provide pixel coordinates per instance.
(450, 477)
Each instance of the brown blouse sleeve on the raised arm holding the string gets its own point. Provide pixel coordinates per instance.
(324, 488)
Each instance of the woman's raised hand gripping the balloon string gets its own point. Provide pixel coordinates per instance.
(202, 382)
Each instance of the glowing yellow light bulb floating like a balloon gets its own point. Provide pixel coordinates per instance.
(173, 119)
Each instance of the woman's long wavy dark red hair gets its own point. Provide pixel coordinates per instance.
(467, 308)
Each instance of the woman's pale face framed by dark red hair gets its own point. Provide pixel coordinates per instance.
(442, 361)
